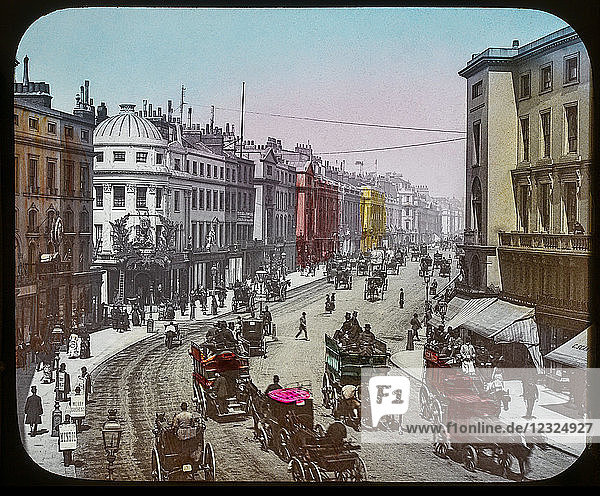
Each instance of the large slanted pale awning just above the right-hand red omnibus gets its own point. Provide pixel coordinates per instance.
(497, 318)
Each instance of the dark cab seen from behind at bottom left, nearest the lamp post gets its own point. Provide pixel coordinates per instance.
(181, 452)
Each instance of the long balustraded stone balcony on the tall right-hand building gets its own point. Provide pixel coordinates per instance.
(575, 243)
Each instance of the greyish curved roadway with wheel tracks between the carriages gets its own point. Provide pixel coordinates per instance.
(146, 378)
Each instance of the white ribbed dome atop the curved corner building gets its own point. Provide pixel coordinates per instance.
(127, 128)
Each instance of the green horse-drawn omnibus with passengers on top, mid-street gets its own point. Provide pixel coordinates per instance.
(344, 366)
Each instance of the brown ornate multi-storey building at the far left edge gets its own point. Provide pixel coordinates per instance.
(53, 211)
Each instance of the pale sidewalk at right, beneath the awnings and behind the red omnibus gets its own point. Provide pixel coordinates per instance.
(551, 406)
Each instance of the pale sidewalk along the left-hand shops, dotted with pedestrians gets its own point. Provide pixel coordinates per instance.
(43, 448)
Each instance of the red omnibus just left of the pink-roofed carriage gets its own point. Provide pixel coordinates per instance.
(234, 369)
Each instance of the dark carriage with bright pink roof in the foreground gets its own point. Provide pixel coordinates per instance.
(284, 423)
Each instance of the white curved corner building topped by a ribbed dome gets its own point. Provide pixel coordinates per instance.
(160, 227)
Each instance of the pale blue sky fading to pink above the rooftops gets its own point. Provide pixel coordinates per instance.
(390, 65)
